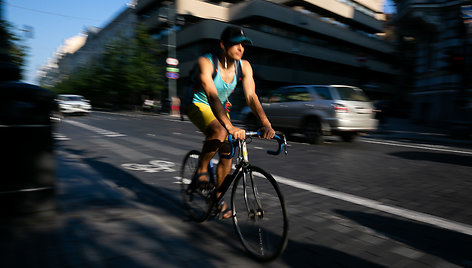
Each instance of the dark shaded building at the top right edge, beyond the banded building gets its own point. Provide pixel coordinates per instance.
(441, 44)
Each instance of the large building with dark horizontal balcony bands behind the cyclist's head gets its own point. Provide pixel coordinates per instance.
(295, 42)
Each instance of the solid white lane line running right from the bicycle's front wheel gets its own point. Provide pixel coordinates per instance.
(402, 212)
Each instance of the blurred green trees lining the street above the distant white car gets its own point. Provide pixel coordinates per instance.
(118, 78)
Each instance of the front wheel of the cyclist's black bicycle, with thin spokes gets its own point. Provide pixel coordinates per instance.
(260, 216)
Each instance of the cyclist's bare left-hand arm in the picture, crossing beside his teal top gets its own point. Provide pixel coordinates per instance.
(206, 71)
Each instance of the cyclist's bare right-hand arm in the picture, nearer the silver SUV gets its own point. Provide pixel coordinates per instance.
(253, 102)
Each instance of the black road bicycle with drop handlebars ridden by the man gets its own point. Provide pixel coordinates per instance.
(258, 207)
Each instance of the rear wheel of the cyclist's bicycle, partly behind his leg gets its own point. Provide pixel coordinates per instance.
(196, 201)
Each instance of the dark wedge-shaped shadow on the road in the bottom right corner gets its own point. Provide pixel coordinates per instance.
(449, 245)
